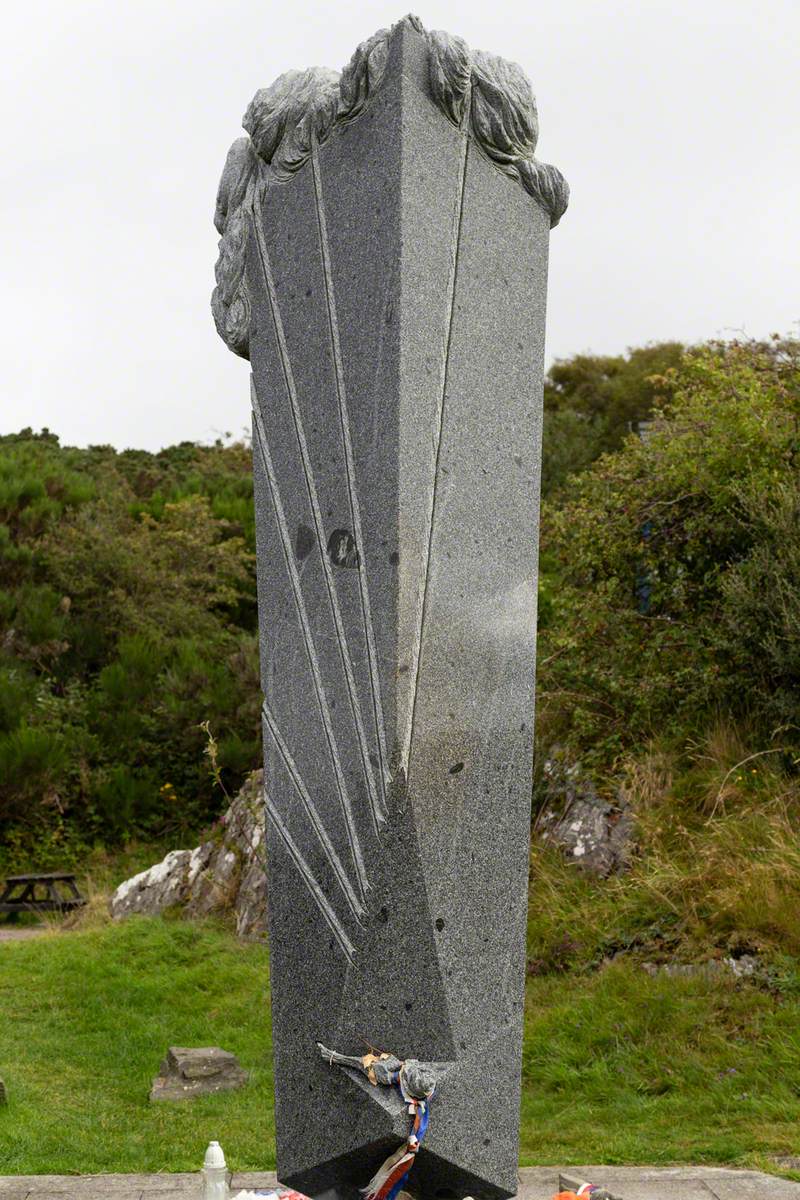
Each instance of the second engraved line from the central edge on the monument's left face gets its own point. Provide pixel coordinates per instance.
(317, 517)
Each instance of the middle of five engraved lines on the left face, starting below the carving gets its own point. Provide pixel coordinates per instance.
(311, 652)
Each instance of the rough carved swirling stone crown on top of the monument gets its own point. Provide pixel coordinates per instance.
(479, 92)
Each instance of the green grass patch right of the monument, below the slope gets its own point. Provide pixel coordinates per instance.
(624, 1069)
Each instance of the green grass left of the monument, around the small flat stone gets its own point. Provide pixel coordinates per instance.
(86, 1019)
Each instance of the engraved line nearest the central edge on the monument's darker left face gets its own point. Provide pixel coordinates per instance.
(350, 470)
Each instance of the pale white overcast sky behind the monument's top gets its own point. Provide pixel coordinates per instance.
(676, 123)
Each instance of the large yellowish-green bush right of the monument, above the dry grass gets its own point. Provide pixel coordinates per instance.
(675, 565)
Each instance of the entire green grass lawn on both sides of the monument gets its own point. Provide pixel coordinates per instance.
(618, 1067)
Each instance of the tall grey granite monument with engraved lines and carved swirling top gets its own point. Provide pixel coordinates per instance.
(383, 267)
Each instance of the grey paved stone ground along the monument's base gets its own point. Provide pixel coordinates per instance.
(537, 1184)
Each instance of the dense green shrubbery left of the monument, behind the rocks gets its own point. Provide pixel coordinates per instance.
(128, 617)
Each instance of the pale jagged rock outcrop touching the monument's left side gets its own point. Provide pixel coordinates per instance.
(225, 875)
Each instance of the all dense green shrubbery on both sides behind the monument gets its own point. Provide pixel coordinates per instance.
(670, 592)
